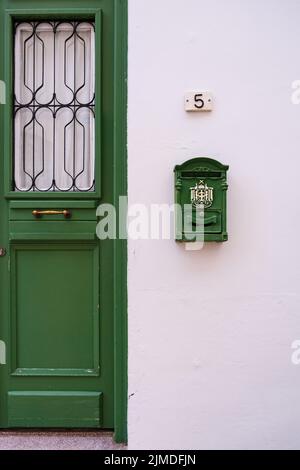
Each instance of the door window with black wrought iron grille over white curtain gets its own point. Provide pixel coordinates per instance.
(54, 106)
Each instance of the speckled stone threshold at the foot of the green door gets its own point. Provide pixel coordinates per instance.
(58, 440)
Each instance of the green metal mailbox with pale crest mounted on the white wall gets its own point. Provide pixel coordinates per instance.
(201, 189)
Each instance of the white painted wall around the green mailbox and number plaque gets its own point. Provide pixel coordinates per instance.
(210, 332)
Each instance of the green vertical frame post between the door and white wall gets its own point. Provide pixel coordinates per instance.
(120, 246)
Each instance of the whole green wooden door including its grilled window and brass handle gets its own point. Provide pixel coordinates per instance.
(56, 311)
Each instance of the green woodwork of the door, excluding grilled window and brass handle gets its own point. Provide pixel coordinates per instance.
(56, 280)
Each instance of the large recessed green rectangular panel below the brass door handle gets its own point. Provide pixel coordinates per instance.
(59, 333)
